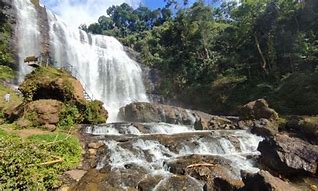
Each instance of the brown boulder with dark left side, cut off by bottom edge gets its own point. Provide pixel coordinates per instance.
(264, 181)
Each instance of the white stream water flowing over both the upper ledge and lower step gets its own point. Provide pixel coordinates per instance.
(151, 146)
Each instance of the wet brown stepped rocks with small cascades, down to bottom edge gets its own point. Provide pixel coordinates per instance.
(145, 157)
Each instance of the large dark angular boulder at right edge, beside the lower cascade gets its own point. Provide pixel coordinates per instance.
(289, 156)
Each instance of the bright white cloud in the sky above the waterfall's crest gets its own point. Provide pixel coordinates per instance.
(77, 12)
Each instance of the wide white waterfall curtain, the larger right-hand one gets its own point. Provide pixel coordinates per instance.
(101, 64)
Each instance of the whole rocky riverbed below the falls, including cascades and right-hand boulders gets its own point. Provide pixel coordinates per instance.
(245, 154)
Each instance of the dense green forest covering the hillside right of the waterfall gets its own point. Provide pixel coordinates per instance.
(216, 58)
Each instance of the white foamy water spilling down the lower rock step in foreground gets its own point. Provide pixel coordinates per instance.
(150, 153)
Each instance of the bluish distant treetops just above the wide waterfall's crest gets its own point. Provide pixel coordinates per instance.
(124, 21)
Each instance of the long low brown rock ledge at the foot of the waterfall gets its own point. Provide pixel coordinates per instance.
(150, 112)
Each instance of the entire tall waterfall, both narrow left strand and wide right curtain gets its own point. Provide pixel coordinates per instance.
(99, 62)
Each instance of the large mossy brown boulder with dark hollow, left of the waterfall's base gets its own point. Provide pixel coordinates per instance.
(54, 98)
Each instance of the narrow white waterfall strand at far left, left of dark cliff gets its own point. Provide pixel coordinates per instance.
(28, 34)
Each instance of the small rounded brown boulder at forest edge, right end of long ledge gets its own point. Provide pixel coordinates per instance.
(258, 109)
